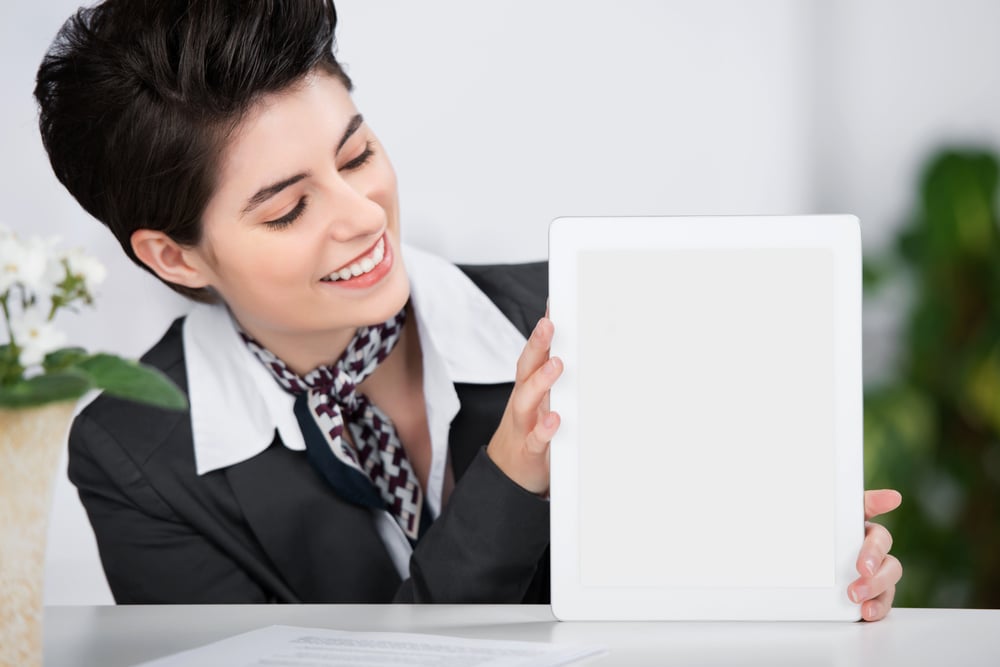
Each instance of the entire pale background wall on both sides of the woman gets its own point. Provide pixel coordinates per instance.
(501, 116)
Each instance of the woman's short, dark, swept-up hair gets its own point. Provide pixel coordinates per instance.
(137, 98)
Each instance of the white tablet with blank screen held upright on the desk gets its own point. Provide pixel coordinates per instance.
(709, 461)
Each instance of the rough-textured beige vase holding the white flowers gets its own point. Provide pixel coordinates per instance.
(31, 440)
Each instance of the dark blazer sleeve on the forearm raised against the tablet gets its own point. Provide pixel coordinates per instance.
(485, 547)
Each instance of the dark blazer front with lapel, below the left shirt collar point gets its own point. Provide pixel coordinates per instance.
(324, 548)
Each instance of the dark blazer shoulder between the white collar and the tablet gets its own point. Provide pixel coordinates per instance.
(520, 291)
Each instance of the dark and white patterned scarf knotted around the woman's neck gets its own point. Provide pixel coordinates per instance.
(375, 472)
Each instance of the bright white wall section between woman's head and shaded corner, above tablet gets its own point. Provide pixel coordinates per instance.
(502, 116)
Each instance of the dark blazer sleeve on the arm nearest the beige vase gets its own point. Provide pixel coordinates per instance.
(143, 544)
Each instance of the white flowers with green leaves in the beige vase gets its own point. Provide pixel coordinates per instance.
(36, 282)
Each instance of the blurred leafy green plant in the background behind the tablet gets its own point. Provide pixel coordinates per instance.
(933, 430)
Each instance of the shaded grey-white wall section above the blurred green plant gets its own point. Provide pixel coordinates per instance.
(897, 79)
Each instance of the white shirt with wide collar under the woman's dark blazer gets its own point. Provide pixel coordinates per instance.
(463, 338)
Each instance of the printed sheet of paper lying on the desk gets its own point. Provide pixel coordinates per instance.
(288, 646)
